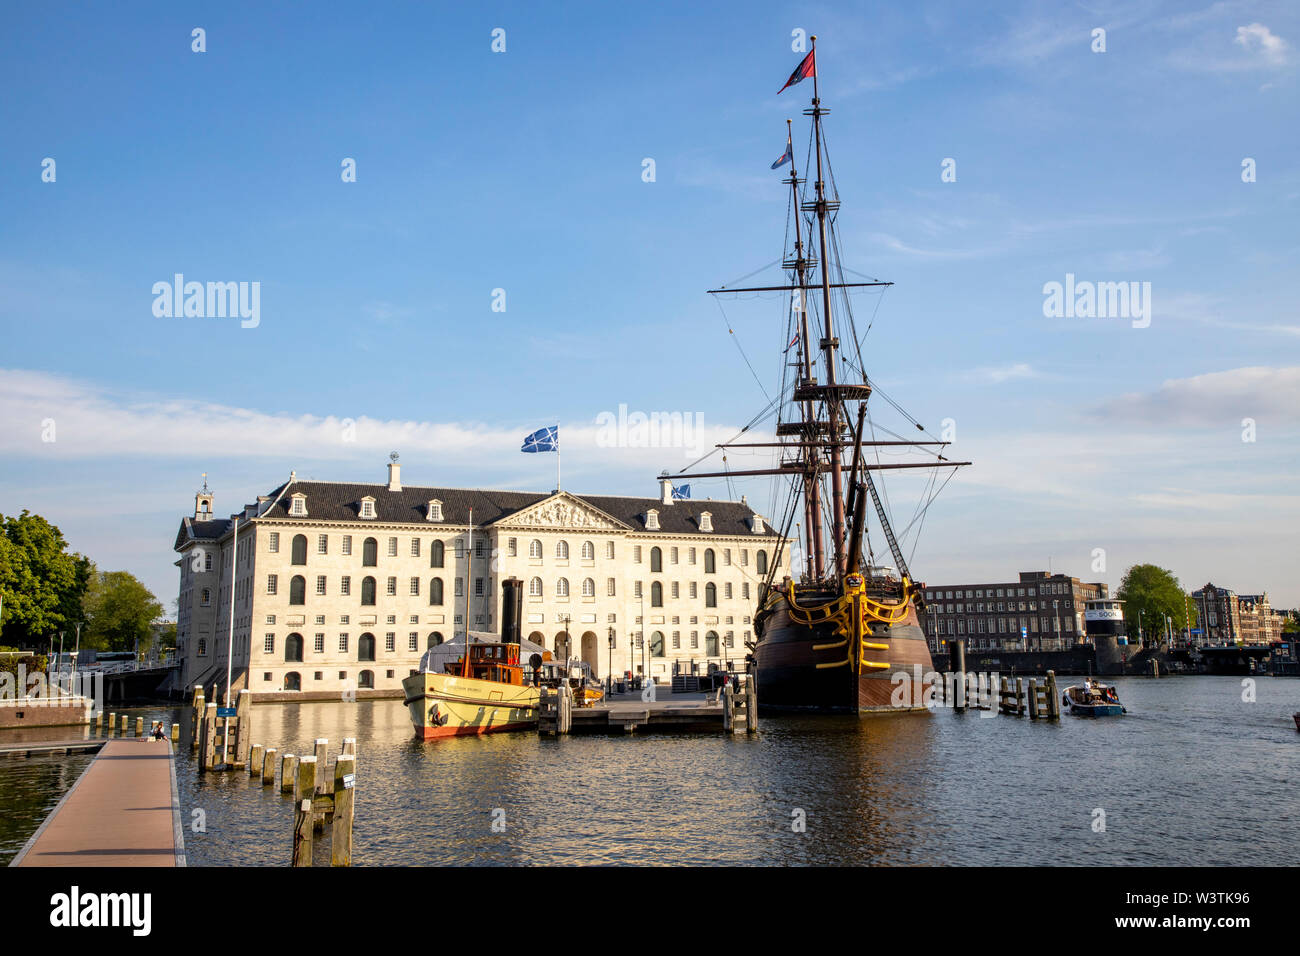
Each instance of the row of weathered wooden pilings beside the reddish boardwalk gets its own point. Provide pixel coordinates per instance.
(319, 797)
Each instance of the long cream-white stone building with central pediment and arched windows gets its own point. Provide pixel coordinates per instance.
(341, 587)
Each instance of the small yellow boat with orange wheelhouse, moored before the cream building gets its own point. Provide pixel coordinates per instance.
(482, 695)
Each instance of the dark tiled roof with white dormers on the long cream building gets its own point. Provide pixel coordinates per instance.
(328, 501)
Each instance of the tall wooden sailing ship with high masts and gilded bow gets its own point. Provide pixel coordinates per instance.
(846, 637)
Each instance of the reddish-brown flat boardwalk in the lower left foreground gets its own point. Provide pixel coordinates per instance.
(123, 812)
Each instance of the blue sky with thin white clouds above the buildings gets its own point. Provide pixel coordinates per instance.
(532, 231)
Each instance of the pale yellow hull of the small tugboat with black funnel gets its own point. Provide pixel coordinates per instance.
(444, 706)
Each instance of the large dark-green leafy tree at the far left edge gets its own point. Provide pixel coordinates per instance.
(41, 581)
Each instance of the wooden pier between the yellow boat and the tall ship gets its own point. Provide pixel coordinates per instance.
(731, 711)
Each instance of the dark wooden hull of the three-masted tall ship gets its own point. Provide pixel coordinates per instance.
(790, 678)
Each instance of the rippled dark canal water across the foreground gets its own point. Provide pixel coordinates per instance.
(1193, 776)
